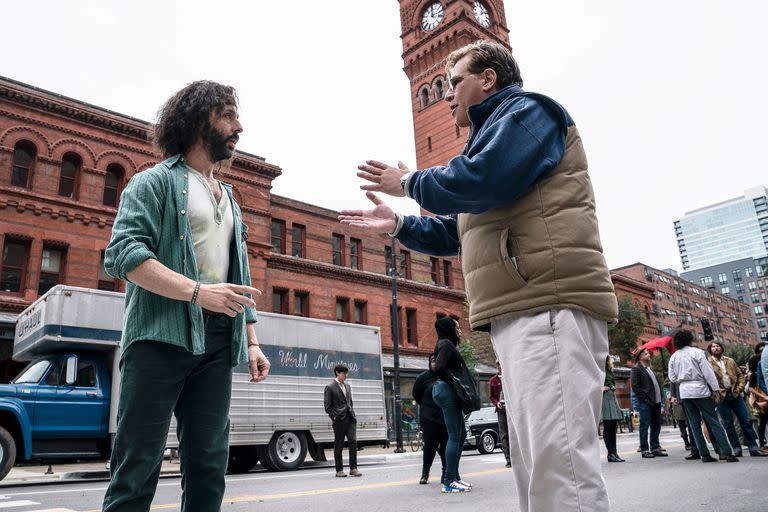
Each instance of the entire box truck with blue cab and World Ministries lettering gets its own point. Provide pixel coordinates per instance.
(64, 403)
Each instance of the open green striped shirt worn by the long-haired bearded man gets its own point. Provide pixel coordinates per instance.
(152, 222)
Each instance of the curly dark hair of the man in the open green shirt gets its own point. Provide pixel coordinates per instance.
(186, 115)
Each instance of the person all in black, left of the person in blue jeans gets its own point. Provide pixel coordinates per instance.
(433, 432)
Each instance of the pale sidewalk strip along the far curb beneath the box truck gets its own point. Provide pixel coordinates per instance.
(96, 471)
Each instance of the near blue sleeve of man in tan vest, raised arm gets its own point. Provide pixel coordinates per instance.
(516, 150)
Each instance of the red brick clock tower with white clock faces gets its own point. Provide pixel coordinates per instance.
(431, 29)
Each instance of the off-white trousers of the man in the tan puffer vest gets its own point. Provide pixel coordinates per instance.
(553, 368)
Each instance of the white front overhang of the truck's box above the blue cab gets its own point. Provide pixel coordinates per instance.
(68, 318)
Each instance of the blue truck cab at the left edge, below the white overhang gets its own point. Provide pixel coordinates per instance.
(36, 410)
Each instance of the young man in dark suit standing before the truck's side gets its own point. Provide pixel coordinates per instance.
(340, 408)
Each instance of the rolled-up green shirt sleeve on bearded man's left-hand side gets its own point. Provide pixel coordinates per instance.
(136, 231)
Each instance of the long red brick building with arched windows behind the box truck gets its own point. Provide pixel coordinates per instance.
(63, 164)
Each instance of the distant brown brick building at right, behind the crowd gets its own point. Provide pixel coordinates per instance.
(678, 301)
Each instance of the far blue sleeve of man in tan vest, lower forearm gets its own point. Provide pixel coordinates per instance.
(437, 236)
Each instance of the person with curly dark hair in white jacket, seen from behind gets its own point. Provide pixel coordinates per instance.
(700, 393)
